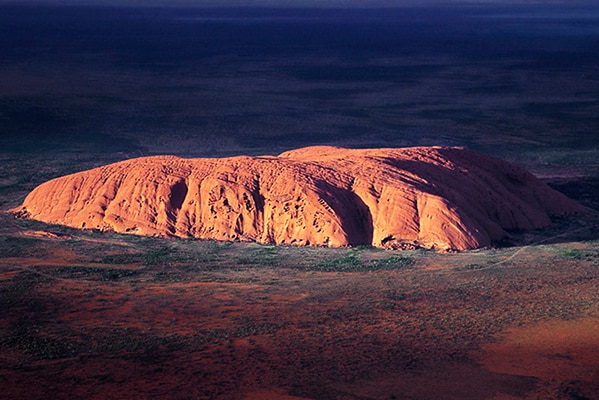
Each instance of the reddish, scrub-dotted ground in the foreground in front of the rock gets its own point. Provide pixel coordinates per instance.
(90, 315)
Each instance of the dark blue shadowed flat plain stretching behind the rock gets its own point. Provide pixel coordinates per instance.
(515, 81)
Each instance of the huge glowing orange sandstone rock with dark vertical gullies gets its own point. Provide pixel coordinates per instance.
(447, 198)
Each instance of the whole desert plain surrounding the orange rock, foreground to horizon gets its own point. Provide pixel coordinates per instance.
(96, 315)
